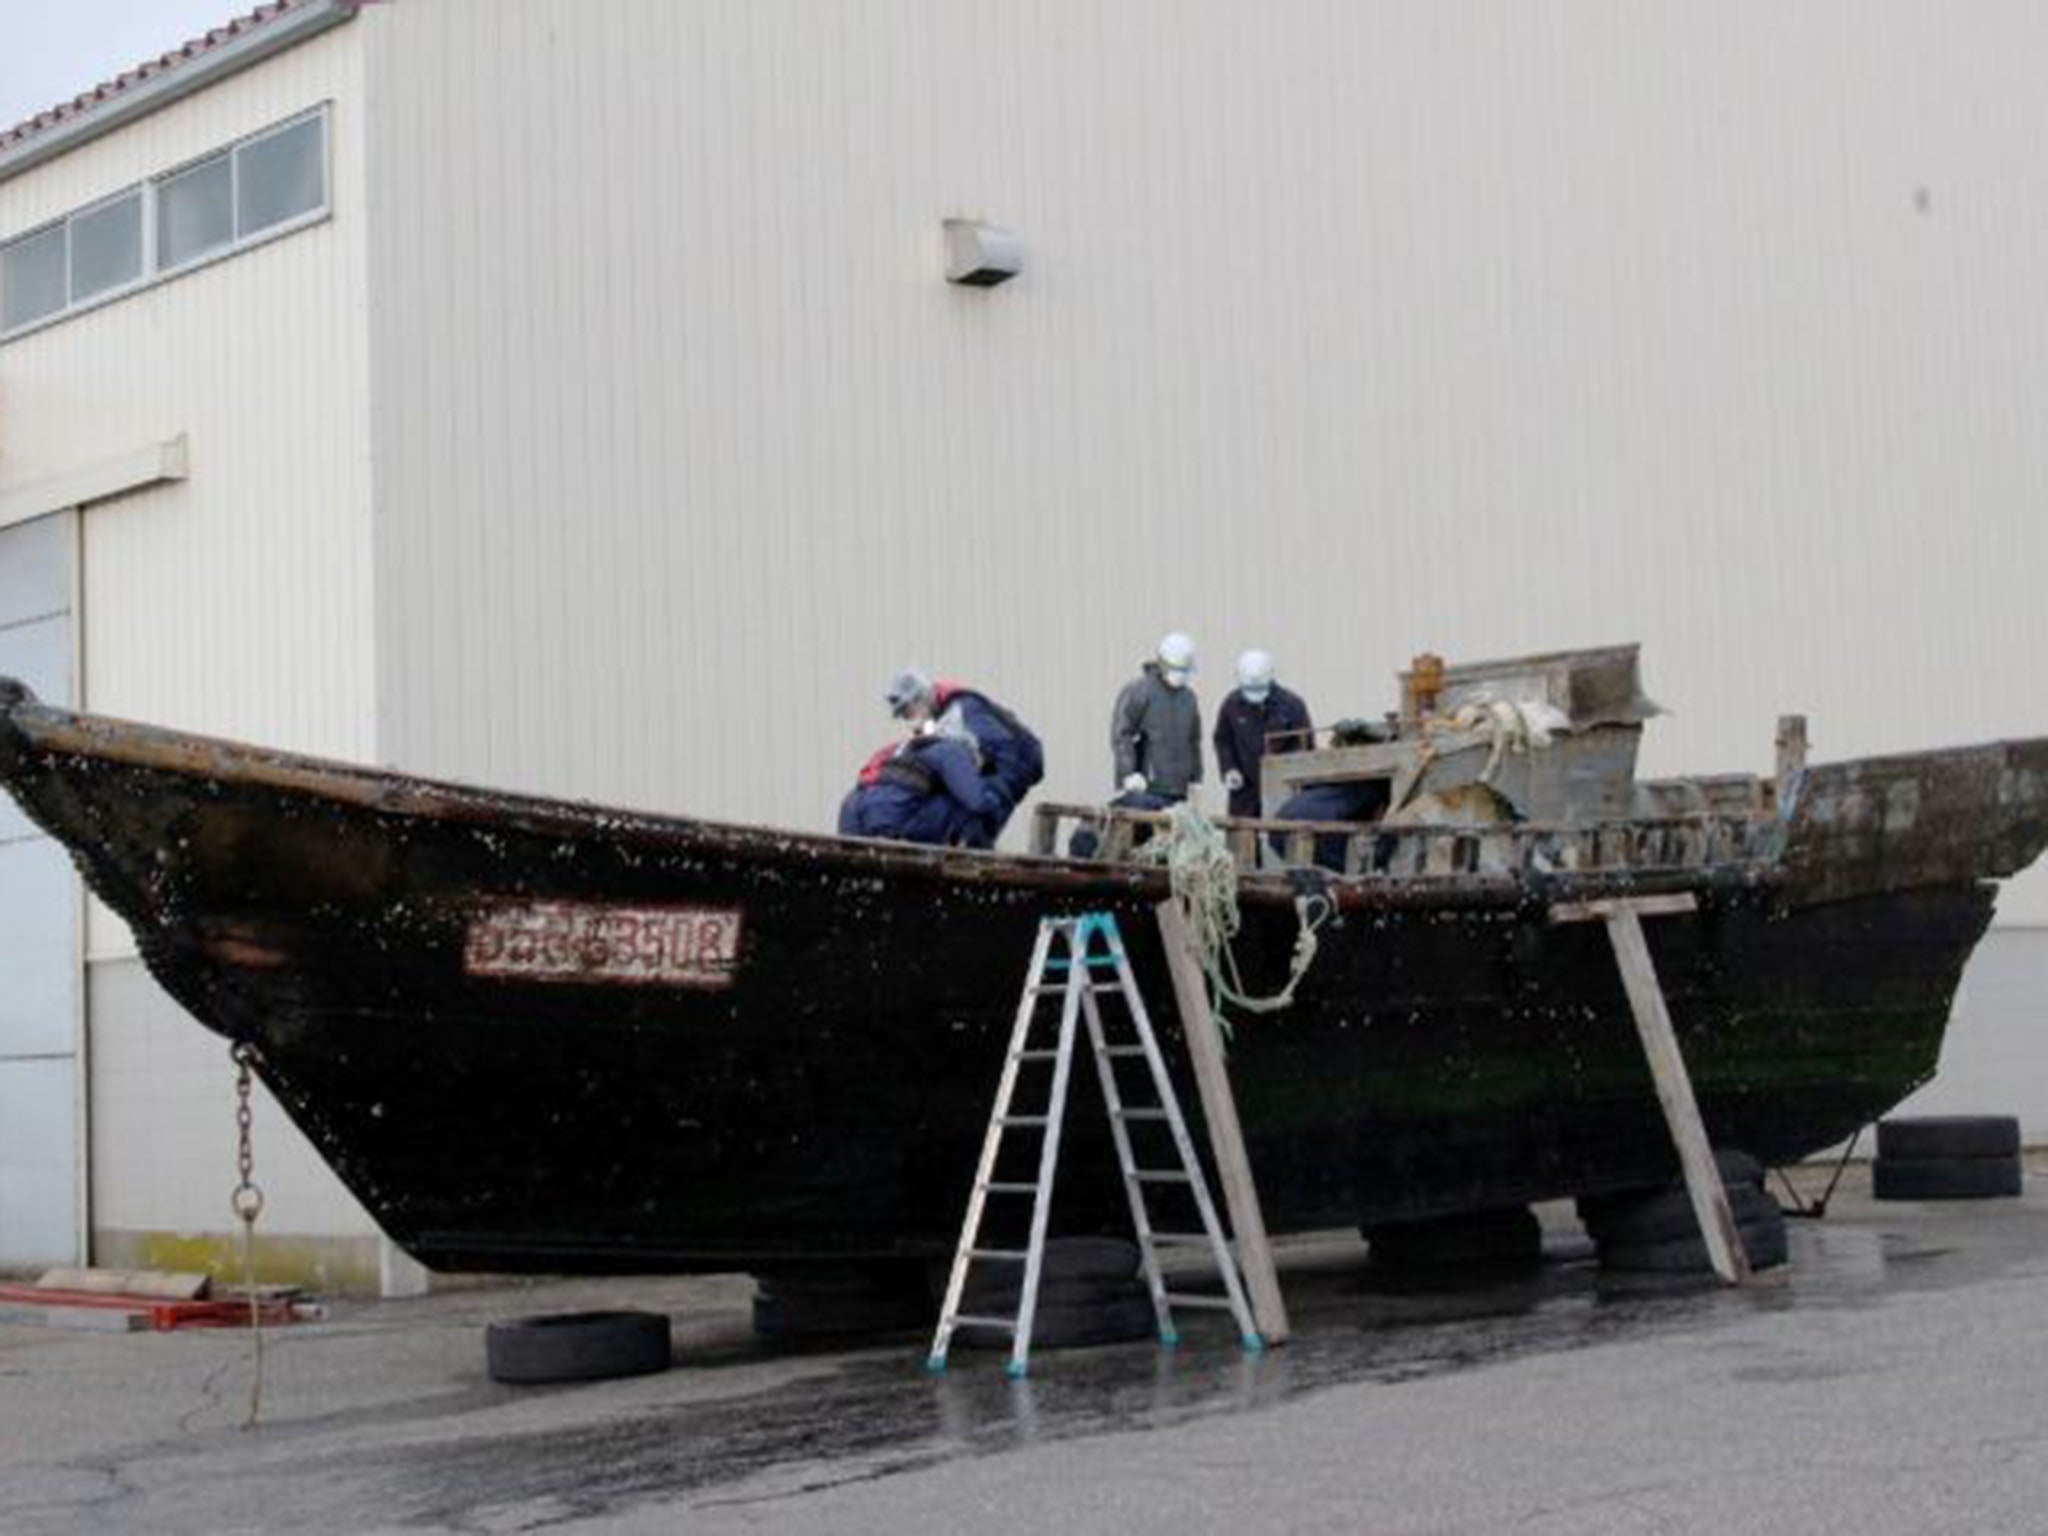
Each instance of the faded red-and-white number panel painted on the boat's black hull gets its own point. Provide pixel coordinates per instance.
(572, 941)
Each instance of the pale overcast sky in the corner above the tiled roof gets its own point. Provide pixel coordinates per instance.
(50, 50)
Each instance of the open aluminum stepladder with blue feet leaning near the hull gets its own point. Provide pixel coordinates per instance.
(1084, 974)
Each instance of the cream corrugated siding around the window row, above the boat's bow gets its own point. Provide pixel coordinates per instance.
(237, 601)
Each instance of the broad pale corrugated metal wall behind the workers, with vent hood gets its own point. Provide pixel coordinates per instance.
(1347, 331)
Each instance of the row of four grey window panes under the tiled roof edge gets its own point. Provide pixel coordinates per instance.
(234, 198)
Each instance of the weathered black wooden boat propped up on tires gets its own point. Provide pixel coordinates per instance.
(538, 1035)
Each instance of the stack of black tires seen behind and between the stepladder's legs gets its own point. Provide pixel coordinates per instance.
(1089, 1293)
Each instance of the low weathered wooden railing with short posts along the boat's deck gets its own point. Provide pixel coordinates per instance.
(1648, 845)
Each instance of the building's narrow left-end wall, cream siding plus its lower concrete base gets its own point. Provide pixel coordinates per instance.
(237, 601)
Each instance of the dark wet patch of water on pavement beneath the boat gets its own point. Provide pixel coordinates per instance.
(882, 1414)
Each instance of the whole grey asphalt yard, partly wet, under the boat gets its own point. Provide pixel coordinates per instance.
(1887, 1381)
